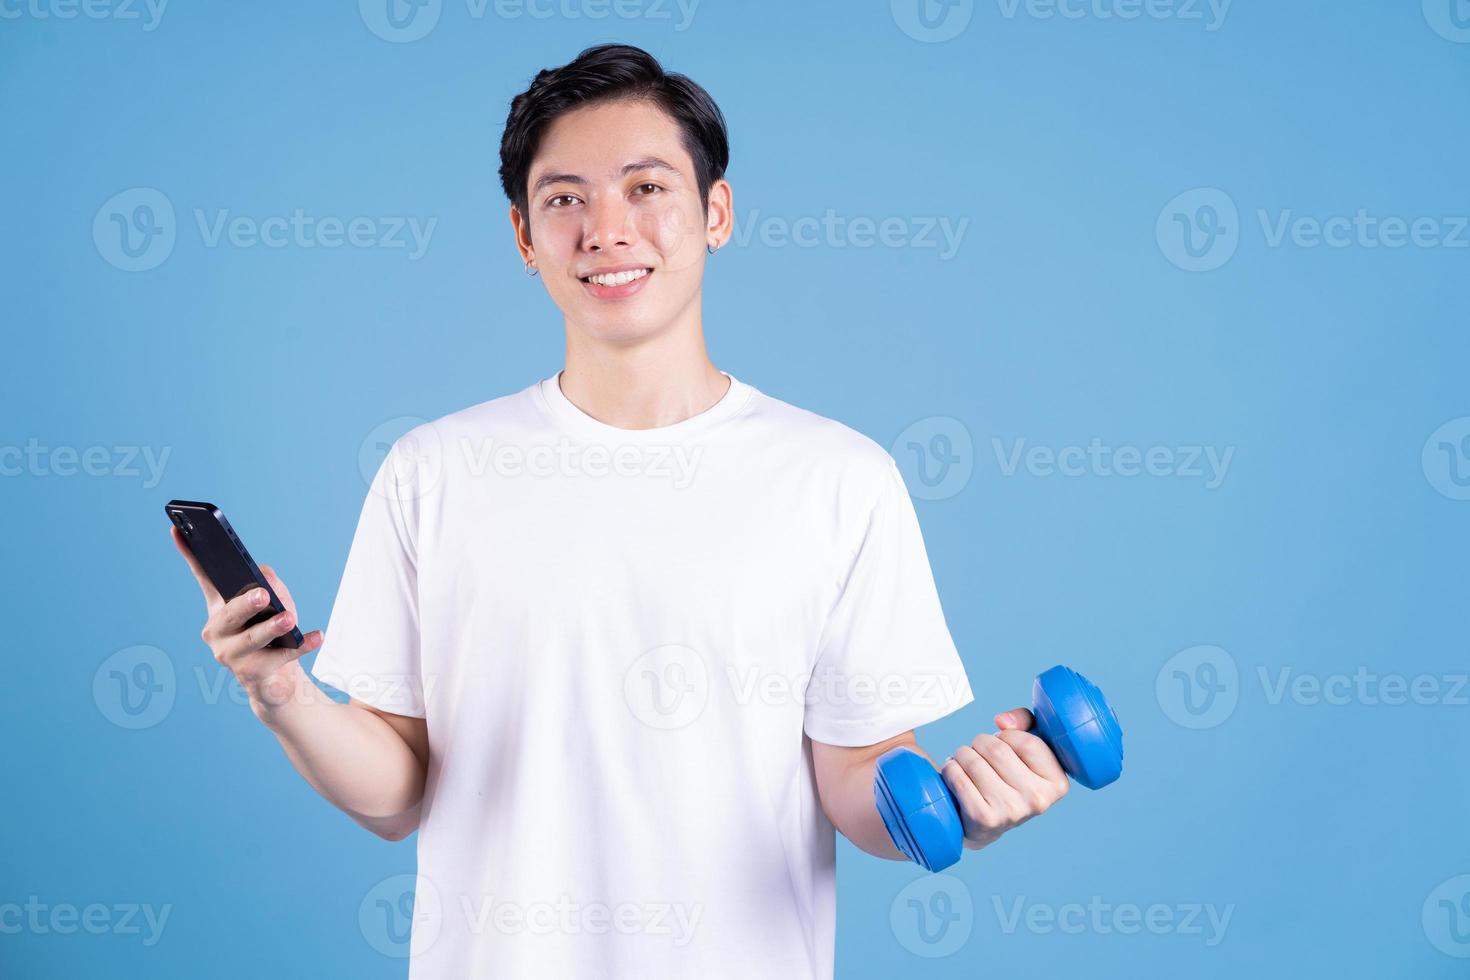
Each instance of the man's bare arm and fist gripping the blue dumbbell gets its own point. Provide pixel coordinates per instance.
(999, 781)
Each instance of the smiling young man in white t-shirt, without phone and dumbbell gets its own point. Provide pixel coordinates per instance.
(625, 646)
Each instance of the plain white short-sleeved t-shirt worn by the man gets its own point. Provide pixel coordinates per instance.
(620, 640)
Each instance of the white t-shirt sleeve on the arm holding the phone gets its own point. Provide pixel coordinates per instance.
(373, 646)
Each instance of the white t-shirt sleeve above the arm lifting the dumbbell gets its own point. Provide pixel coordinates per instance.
(886, 662)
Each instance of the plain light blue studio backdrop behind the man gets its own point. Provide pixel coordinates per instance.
(1330, 547)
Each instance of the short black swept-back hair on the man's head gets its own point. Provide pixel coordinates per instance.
(603, 74)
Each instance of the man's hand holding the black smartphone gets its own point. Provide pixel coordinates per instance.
(271, 675)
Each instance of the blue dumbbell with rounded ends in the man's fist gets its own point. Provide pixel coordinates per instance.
(1072, 718)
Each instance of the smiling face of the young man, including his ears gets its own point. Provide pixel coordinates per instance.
(614, 192)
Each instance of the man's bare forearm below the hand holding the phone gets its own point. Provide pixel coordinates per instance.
(352, 757)
